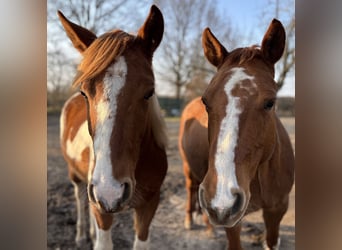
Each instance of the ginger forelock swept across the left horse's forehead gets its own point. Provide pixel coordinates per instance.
(101, 54)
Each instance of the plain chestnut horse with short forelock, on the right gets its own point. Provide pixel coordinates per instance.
(236, 153)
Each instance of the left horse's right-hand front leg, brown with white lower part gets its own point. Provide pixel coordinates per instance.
(142, 220)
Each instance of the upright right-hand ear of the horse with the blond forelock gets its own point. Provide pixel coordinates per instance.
(151, 32)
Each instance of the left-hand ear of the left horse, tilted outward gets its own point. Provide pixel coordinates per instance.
(80, 37)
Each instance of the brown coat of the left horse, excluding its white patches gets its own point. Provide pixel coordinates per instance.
(138, 139)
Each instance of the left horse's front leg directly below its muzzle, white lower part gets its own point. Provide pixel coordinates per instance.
(103, 226)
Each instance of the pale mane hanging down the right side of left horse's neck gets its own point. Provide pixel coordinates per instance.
(157, 123)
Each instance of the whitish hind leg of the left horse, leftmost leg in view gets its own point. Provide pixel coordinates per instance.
(80, 189)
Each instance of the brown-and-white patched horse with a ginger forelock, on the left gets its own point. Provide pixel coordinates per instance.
(112, 133)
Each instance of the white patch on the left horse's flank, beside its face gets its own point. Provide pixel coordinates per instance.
(79, 143)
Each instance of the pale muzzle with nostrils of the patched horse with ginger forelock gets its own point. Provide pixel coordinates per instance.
(110, 198)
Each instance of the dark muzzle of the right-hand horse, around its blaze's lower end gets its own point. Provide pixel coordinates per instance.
(226, 216)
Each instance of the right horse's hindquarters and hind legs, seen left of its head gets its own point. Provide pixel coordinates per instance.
(193, 130)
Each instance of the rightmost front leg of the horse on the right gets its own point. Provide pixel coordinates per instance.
(272, 218)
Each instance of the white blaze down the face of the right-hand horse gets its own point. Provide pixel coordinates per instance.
(227, 140)
